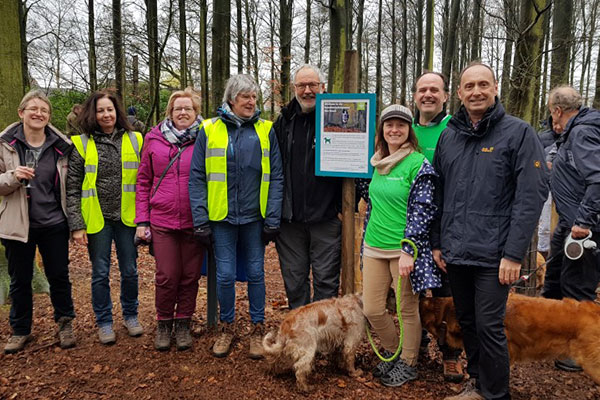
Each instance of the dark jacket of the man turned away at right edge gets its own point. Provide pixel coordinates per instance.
(576, 171)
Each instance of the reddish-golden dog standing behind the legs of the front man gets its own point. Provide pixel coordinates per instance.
(536, 329)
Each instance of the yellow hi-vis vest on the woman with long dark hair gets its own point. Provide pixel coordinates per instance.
(130, 160)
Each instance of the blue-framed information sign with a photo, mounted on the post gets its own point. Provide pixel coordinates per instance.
(345, 134)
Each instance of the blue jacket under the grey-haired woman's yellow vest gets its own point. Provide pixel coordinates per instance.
(244, 174)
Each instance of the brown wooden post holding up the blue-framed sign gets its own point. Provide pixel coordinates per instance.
(350, 86)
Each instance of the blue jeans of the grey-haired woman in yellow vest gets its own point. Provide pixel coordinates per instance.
(226, 238)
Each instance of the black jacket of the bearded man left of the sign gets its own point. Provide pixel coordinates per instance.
(306, 197)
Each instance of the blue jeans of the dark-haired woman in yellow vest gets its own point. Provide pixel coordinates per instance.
(99, 247)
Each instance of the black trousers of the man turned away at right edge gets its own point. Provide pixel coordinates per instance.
(576, 279)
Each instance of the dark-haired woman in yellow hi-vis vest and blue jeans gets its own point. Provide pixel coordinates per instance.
(101, 205)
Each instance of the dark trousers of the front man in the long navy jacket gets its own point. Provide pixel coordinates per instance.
(480, 302)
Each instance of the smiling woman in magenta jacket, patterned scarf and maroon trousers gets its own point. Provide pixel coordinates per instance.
(164, 216)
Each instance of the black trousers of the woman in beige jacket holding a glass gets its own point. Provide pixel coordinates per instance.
(53, 243)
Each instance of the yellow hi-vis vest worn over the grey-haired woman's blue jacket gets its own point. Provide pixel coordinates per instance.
(215, 158)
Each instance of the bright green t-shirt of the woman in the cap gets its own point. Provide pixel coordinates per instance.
(389, 199)
